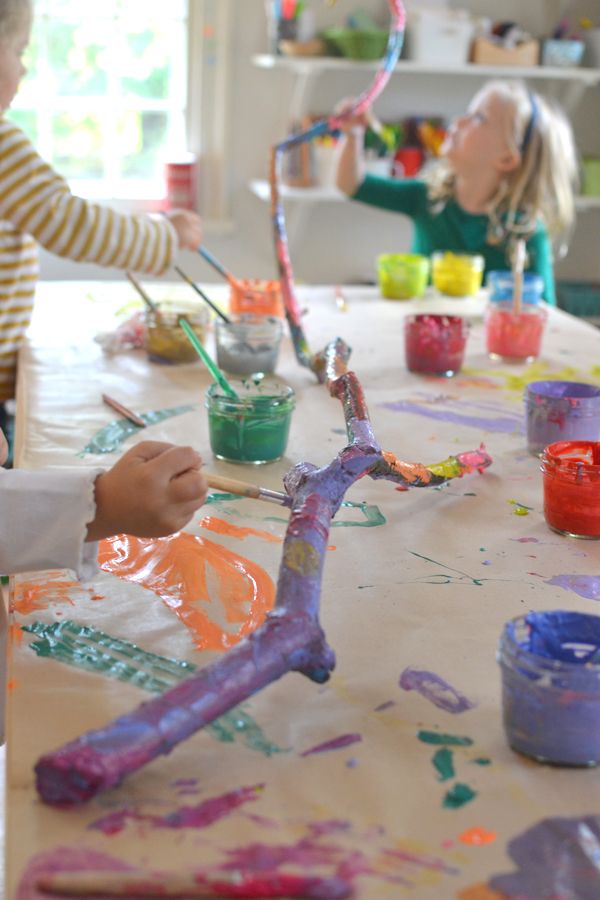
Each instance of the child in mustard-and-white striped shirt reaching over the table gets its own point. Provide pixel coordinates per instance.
(36, 205)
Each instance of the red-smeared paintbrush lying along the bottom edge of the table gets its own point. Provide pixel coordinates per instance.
(171, 884)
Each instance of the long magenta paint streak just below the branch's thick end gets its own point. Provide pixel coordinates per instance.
(197, 817)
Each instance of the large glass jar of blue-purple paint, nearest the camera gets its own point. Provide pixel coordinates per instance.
(550, 666)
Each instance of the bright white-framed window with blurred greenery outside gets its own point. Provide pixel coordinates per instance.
(114, 88)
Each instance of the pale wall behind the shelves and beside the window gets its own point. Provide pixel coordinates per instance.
(333, 242)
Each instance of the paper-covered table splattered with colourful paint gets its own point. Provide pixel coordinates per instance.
(415, 582)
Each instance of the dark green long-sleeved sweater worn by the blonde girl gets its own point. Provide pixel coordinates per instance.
(453, 228)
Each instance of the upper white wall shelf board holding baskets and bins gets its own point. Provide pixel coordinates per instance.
(313, 65)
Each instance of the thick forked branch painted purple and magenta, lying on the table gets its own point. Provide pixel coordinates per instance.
(291, 639)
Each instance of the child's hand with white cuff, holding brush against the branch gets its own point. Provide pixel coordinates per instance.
(153, 490)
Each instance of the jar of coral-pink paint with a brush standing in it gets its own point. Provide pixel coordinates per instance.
(514, 336)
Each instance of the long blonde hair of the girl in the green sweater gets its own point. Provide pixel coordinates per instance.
(543, 184)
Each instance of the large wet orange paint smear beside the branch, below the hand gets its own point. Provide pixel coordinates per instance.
(178, 568)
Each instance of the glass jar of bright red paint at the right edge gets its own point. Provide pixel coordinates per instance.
(571, 471)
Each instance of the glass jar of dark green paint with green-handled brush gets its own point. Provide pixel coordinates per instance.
(253, 428)
